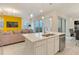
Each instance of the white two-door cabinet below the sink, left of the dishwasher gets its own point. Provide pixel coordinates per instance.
(53, 45)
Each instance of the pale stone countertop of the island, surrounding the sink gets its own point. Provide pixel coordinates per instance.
(33, 37)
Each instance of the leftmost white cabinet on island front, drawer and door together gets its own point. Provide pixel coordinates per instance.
(41, 48)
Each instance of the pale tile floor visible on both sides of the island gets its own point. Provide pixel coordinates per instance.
(19, 49)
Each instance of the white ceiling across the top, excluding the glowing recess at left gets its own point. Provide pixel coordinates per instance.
(67, 9)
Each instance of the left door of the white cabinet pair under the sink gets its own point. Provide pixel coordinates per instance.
(50, 46)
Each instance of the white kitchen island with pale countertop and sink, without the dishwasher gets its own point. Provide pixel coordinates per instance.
(42, 43)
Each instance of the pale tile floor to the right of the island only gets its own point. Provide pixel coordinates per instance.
(71, 47)
